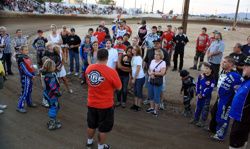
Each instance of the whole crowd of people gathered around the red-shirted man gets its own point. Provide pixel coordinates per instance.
(109, 62)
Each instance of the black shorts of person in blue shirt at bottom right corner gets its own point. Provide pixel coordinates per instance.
(239, 134)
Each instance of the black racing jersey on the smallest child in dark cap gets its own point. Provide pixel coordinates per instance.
(188, 86)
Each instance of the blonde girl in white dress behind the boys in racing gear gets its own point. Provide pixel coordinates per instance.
(61, 72)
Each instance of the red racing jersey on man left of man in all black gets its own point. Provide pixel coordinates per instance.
(167, 39)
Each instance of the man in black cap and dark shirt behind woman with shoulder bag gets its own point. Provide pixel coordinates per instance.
(148, 58)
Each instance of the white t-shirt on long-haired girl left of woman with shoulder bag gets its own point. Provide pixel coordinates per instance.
(137, 60)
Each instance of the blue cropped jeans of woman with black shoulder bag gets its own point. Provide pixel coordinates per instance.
(154, 92)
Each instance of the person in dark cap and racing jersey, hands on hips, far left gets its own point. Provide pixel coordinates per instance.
(39, 45)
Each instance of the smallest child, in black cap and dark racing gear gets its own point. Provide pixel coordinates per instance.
(188, 86)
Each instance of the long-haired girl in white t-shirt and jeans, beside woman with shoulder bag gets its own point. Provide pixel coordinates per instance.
(138, 77)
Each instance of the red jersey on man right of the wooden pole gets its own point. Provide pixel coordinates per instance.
(203, 42)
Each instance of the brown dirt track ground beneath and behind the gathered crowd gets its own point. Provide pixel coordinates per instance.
(131, 130)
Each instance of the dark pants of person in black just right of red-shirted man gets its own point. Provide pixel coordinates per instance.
(124, 80)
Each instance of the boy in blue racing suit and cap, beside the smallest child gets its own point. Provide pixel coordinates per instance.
(205, 85)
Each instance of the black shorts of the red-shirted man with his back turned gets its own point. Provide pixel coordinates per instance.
(103, 119)
